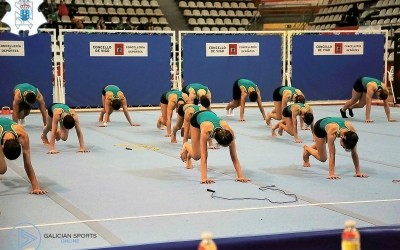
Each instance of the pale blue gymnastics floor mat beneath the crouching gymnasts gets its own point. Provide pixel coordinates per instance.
(112, 196)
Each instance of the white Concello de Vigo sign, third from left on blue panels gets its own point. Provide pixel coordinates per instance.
(232, 49)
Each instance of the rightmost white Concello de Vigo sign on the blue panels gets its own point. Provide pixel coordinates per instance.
(338, 48)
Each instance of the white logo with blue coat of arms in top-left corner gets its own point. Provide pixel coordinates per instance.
(24, 16)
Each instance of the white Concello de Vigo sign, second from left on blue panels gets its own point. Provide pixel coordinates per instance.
(118, 49)
